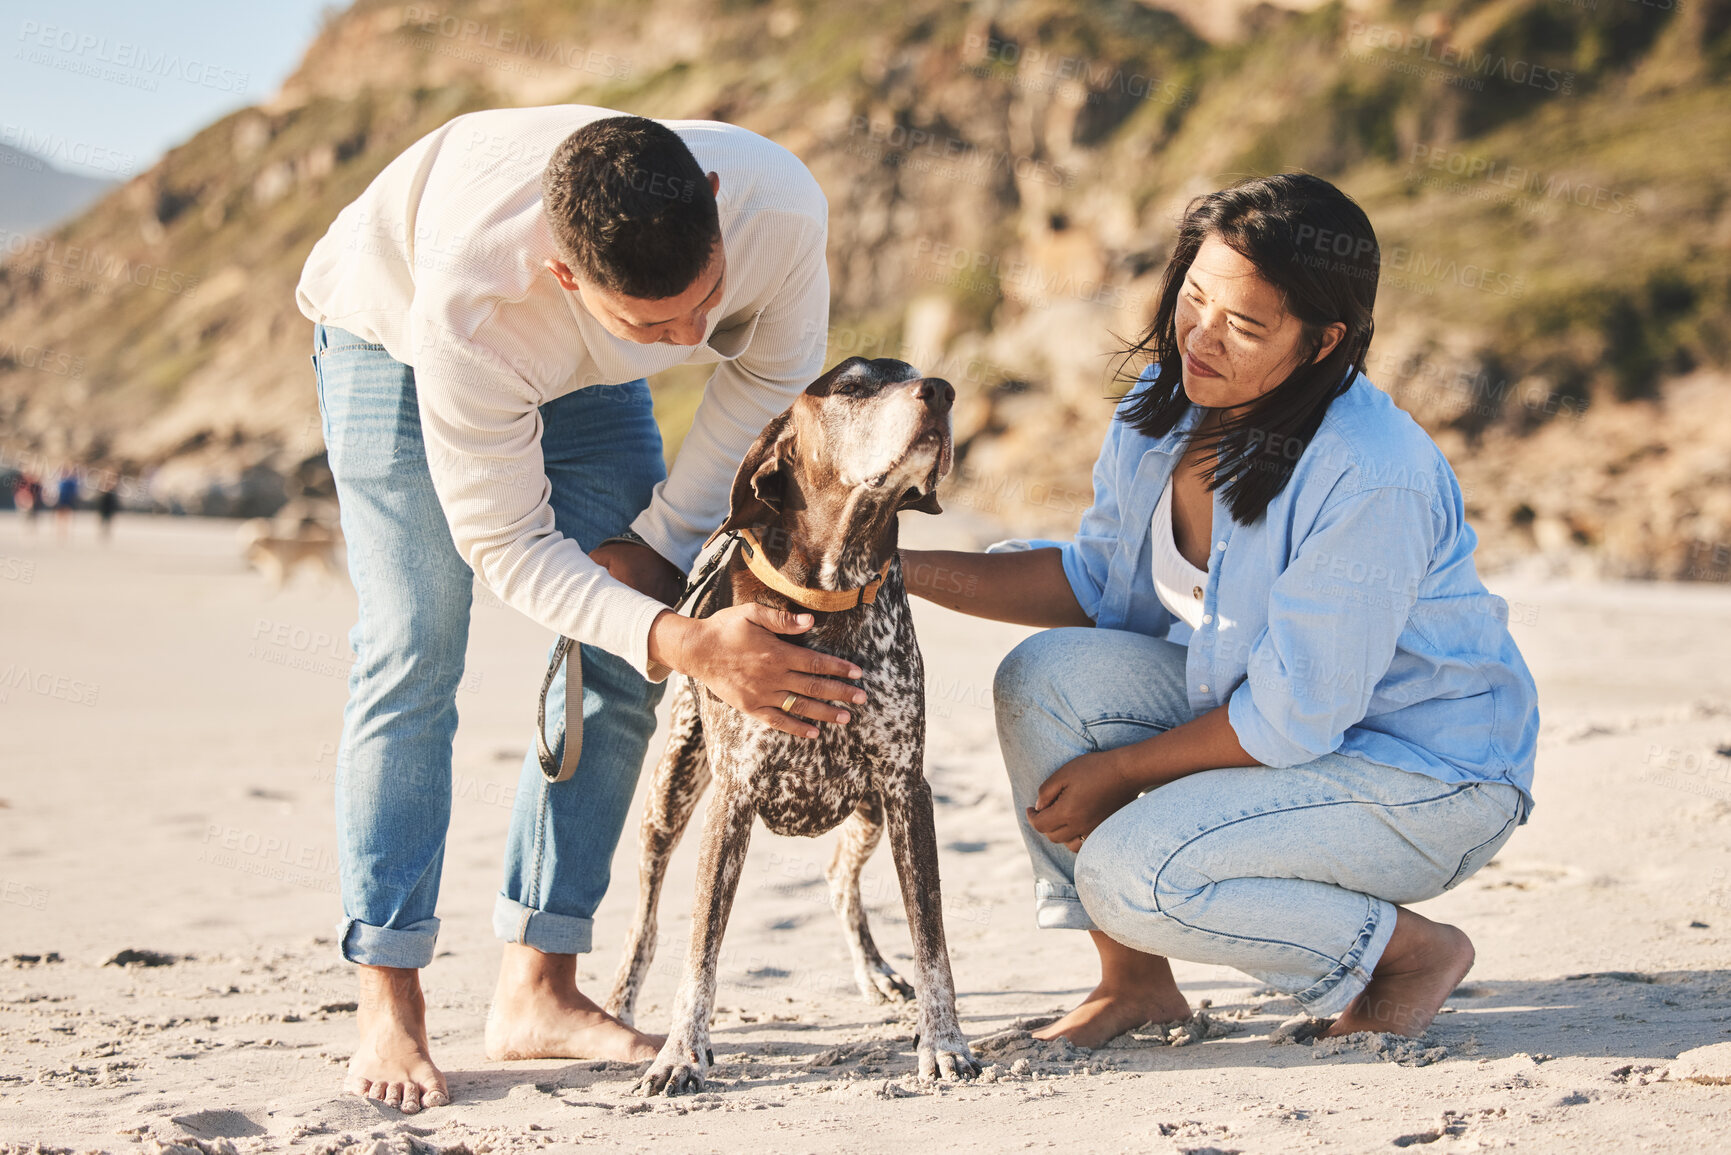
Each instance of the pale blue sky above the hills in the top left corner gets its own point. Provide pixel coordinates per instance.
(105, 87)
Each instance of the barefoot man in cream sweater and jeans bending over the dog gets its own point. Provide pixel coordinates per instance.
(487, 314)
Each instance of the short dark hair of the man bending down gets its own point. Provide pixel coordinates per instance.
(631, 209)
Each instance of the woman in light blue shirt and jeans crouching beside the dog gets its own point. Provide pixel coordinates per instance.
(1294, 709)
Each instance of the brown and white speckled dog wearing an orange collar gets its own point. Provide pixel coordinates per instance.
(816, 505)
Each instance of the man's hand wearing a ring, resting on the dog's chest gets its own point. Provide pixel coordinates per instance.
(737, 654)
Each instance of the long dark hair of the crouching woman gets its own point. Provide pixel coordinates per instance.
(1313, 243)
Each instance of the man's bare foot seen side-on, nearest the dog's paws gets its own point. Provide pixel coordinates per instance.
(541, 1014)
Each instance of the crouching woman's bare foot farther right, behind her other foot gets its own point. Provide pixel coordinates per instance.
(1420, 969)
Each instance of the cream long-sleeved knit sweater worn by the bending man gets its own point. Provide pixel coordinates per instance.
(441, 262)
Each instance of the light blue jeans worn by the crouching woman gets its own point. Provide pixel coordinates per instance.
(1290, 875)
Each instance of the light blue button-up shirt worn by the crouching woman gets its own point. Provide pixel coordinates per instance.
(1348, 619)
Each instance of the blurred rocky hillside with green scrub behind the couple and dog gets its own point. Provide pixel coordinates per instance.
(1547, 177)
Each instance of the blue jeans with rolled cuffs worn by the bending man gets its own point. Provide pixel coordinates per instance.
(603, 458)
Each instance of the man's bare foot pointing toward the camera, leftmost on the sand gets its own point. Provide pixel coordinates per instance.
(394, 1062)
